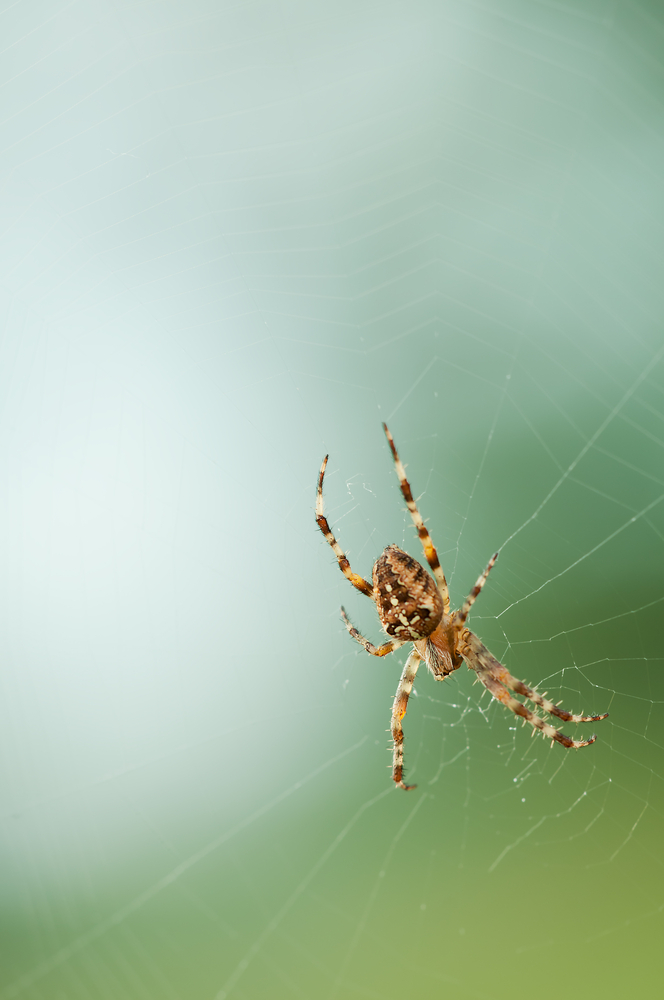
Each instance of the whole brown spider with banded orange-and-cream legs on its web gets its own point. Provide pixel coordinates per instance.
(412, 608)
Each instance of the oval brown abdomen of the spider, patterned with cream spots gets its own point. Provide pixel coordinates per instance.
(409, 604)
